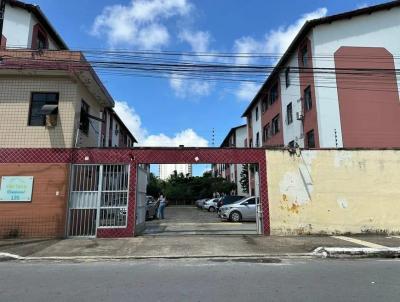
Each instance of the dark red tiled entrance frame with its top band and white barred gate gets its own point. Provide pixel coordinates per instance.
(103, 182)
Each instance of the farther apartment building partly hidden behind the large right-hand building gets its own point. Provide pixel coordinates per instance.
(236, 138)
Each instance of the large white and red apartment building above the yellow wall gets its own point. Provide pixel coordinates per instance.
(336, 86)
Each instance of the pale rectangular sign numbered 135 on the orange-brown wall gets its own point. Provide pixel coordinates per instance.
(16, 188)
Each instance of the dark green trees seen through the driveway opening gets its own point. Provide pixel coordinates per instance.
(186, 188)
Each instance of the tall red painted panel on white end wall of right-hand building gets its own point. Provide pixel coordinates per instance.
(368, 99)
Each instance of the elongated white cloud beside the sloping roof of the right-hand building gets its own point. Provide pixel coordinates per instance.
(278, 40)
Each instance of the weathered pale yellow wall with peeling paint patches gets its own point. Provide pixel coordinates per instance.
(334, 191)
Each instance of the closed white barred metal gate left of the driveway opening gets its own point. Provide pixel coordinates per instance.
(98, 199)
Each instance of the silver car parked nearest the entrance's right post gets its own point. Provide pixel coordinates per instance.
(242, 210)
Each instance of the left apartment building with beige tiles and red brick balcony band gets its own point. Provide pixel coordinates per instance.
(50, 97)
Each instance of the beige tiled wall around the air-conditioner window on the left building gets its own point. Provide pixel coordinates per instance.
(15, 98)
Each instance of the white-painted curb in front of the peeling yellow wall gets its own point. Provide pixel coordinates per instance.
(333, 252)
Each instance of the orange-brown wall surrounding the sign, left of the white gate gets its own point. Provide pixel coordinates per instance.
(45, 215)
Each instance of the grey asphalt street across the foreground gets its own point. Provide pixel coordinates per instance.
(202, 280)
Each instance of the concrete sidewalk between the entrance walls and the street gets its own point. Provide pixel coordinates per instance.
(195, 247)
